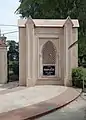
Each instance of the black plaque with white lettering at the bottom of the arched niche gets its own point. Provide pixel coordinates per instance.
(49, 70)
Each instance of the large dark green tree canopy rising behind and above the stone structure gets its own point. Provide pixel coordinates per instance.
(55, 9)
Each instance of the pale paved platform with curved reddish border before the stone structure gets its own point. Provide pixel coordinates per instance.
(21, 103)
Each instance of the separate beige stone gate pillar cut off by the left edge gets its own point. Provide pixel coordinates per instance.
(3, 60)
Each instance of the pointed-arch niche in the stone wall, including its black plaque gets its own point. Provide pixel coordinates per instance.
(49, 59)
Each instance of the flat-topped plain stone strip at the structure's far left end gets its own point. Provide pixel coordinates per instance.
(22, 56)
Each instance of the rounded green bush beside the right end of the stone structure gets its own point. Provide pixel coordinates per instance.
(78, 75)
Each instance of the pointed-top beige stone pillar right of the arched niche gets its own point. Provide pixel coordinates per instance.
(67, 53)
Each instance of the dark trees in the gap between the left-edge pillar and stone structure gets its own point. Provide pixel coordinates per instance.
(13, 58)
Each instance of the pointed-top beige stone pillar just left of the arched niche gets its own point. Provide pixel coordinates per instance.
(30, 54)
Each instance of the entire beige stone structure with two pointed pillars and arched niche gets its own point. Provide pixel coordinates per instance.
(45, 57)
